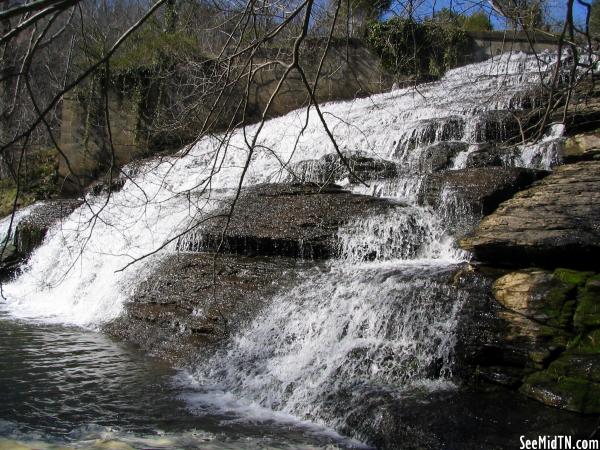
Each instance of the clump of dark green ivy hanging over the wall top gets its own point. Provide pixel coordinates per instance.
(416, 49)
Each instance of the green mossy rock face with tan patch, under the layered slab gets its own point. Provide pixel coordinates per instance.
(544, 339)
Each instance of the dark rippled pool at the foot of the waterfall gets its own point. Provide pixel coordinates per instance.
(66, 386)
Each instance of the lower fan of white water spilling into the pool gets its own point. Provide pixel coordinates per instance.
(386, 324)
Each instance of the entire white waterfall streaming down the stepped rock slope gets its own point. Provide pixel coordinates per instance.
(388, 322)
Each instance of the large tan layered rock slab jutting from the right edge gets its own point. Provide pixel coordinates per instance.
(554, 223)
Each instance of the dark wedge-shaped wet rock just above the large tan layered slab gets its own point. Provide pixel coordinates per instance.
(480, 190)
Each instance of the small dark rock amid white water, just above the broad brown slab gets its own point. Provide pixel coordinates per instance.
(331, 168)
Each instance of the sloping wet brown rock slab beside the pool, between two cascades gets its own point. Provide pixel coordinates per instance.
(182, 313)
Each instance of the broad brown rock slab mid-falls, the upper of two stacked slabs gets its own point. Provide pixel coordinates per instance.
(298, 220)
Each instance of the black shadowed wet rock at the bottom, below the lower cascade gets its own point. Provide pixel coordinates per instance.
(454, 418)
